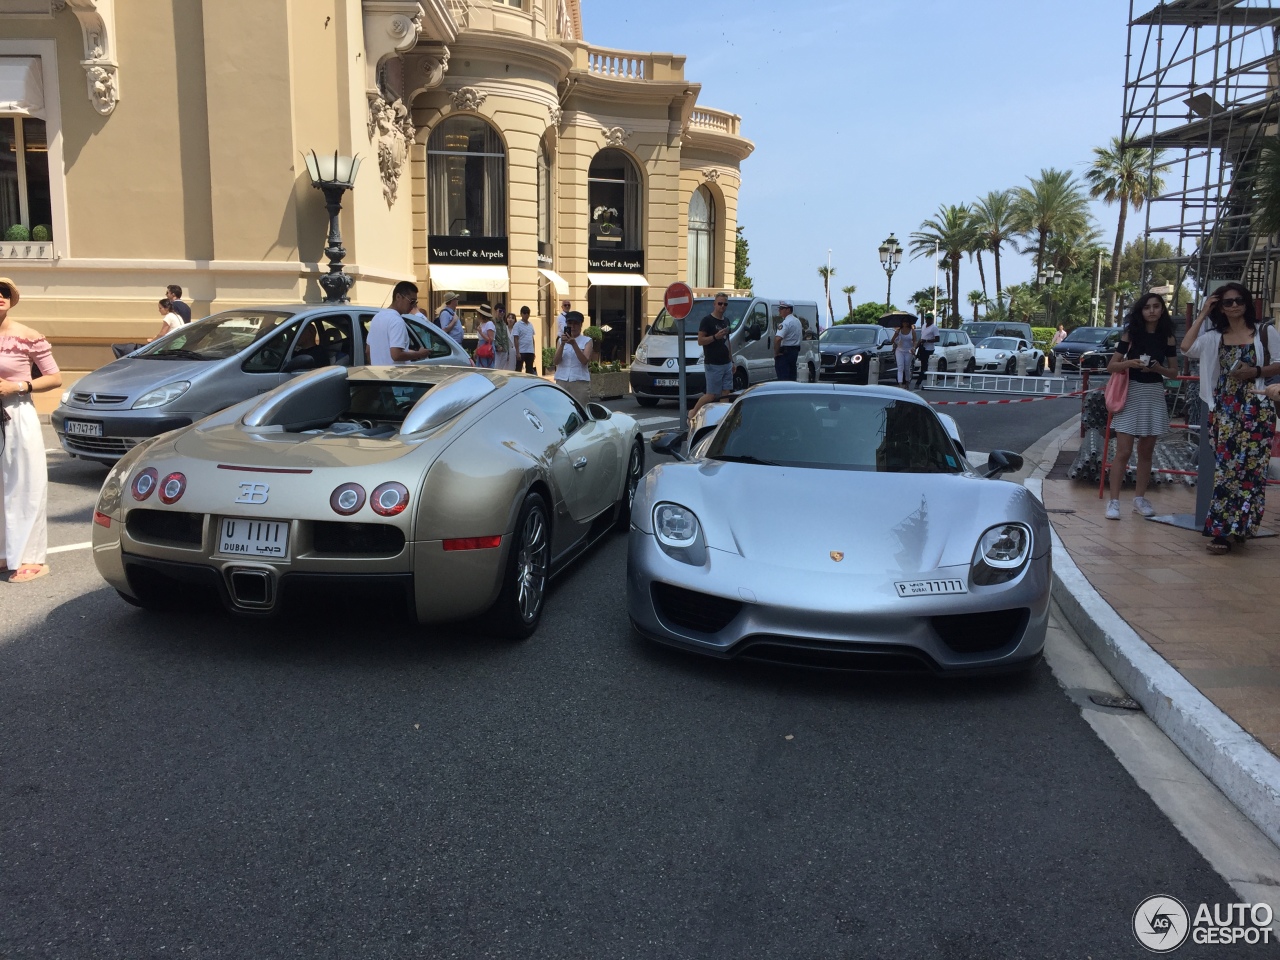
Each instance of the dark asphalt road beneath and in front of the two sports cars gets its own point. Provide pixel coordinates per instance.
(340, 784)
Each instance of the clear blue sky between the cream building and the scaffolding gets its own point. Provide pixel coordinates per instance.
(868, 116)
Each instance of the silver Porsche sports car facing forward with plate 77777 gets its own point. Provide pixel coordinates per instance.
(840, 527)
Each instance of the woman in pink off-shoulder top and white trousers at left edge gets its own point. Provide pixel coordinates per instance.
(24, 472)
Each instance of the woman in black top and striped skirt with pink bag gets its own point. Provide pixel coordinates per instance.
(1146, 354)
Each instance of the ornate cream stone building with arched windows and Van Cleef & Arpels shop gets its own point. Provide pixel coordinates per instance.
(147, 143)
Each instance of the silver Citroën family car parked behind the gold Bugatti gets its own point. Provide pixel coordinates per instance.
(211, 364)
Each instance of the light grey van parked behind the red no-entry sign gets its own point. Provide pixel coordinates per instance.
(752, 322)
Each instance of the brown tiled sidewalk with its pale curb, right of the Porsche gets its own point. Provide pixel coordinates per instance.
(1187, 634)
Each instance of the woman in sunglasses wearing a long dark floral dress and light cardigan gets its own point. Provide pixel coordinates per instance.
(1235, 362)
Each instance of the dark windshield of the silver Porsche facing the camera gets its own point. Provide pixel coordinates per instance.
(826, 432)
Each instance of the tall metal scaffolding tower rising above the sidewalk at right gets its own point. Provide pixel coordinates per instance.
(1203, 85)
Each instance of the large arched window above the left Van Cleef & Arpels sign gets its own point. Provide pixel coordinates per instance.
(467, 180)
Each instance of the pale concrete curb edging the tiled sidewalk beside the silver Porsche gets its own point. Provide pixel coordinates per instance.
(1246, 772)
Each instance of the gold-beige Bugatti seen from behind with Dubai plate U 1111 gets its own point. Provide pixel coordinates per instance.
(451, 492)
